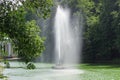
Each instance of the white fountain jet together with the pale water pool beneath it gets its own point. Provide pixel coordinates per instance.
(67, 52)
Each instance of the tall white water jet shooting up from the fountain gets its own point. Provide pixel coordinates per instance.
(67, 38)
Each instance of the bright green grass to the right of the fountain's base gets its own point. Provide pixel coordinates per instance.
(100, 72)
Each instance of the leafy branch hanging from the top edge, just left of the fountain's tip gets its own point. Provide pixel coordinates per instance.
(40, 7)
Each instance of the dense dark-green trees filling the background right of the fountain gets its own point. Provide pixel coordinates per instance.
(102, 33)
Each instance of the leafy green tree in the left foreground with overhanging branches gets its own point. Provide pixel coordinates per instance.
(24, 34)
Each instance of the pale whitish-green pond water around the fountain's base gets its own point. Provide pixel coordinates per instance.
(42, 72)
